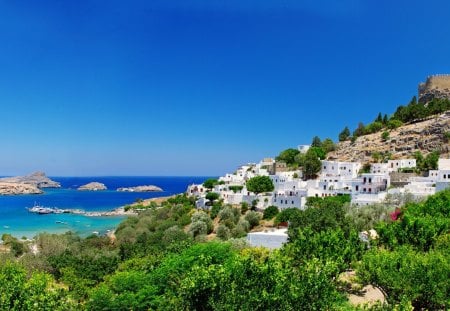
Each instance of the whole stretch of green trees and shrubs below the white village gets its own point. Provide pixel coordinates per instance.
(160, 260)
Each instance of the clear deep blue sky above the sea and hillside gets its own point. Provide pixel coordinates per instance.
(190, 87)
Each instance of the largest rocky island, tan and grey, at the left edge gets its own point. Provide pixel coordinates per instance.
(30, 184)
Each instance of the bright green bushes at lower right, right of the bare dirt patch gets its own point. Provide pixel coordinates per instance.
(412, 261)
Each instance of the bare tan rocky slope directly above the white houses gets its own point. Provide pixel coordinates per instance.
(426, 136)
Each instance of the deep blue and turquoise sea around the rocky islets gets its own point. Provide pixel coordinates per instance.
(16, 220)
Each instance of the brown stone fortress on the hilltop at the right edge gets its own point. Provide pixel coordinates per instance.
(436, 86)
